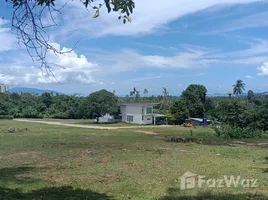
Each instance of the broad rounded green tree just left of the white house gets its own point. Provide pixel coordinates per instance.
(100, 103)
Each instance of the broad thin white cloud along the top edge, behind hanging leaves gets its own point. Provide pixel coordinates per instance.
(149, 16)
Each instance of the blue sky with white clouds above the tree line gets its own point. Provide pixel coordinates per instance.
(168, 44)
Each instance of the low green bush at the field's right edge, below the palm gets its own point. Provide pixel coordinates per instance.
(226, 131)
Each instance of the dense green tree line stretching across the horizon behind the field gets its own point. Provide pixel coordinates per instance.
(247, 113)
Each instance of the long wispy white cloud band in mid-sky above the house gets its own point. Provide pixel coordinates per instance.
(129, 60)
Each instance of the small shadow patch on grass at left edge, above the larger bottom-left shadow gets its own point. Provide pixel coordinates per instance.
(16, 174)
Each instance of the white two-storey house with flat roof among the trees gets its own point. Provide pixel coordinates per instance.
(138, 113)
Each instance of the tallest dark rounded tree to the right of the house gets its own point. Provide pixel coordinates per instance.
(195, 97)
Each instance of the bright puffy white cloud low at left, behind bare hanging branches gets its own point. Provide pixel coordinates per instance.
(69, 68)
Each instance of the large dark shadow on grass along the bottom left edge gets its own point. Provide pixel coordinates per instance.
(52, 193)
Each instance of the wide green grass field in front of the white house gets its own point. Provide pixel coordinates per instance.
(50, 162)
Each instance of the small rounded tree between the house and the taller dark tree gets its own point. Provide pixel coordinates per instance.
(179, 111)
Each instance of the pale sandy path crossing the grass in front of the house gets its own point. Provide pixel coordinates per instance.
(86, 126)
